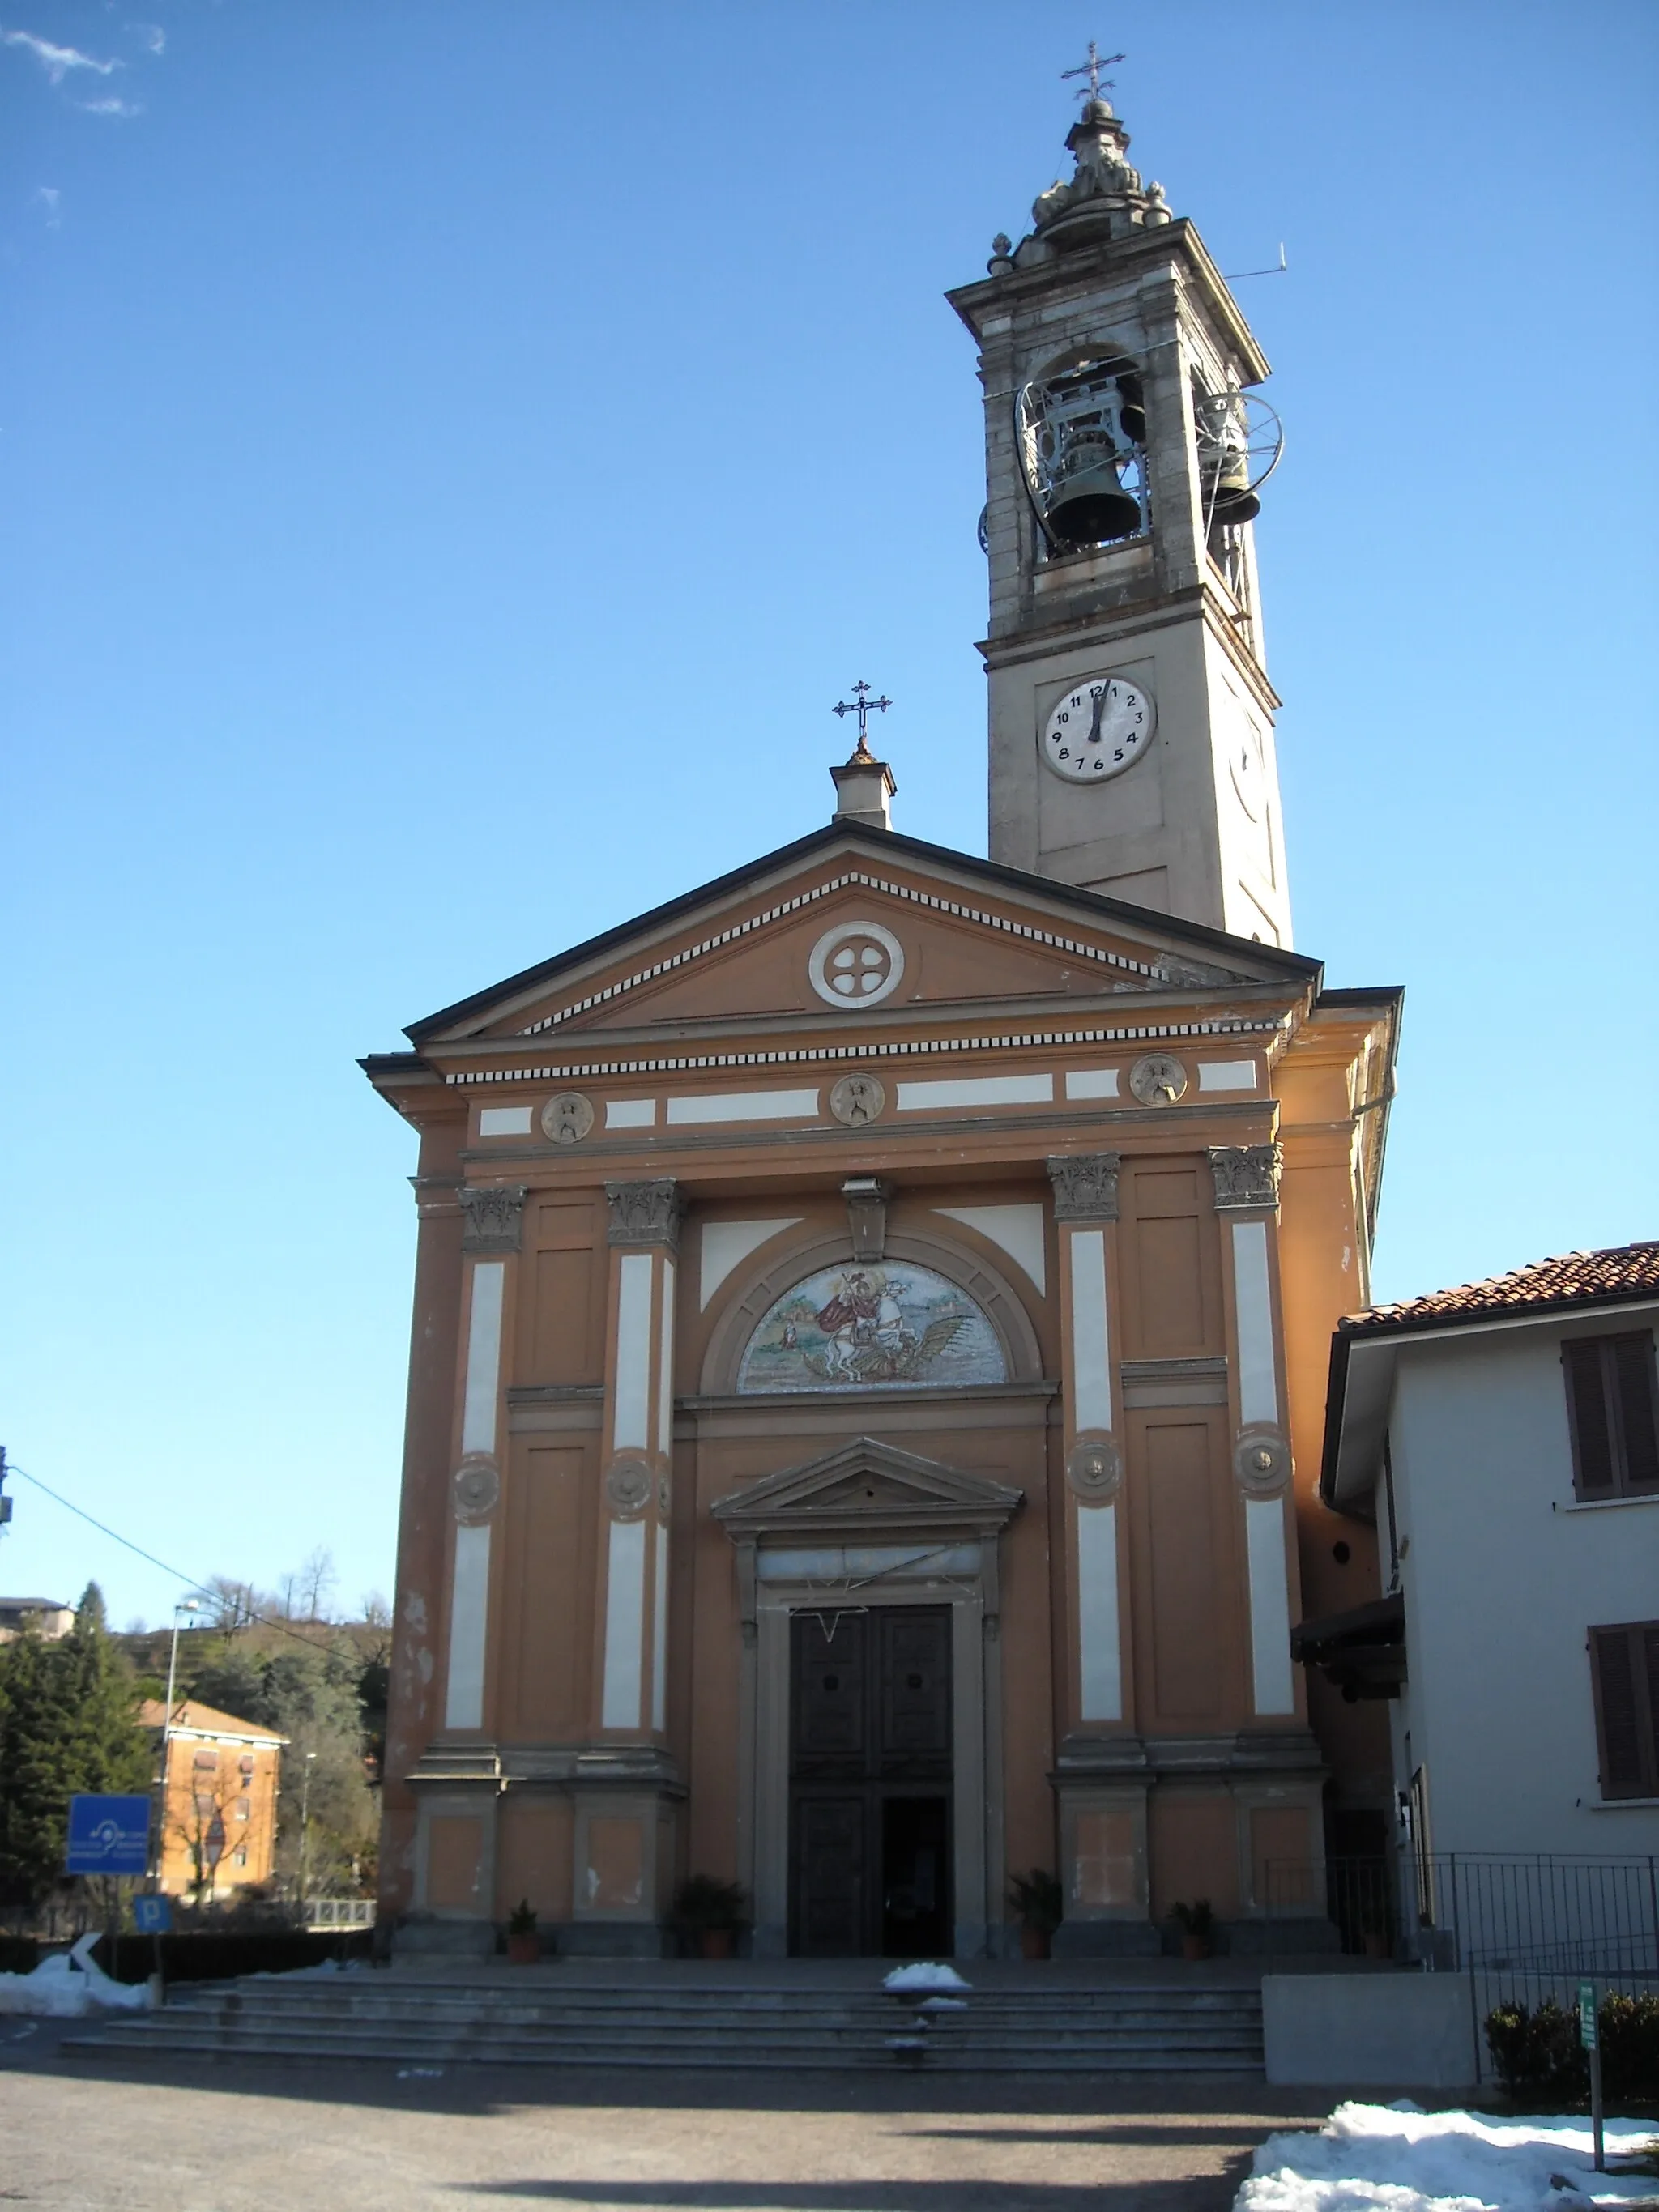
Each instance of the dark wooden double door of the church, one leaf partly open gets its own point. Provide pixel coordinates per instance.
(870, 1784)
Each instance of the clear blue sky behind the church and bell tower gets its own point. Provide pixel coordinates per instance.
(457, 455)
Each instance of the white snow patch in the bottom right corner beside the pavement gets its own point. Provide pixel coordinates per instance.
(1373, 2158)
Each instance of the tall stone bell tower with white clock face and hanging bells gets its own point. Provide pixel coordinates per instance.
(1131, 711)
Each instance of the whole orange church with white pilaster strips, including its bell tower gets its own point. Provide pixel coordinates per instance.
(873, 1313)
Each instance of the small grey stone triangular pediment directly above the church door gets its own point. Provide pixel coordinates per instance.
(868, 1485)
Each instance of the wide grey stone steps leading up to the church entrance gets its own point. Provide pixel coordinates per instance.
(716, 2025)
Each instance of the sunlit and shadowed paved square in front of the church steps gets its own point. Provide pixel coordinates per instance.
(83, 2136)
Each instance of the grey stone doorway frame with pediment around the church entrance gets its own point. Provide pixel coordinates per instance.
(870, 1525)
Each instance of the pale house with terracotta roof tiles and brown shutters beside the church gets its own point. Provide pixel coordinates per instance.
(1503, 1441)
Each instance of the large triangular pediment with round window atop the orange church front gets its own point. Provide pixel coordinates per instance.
(968, 935)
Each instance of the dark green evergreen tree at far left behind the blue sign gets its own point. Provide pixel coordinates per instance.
(67, 1724)
